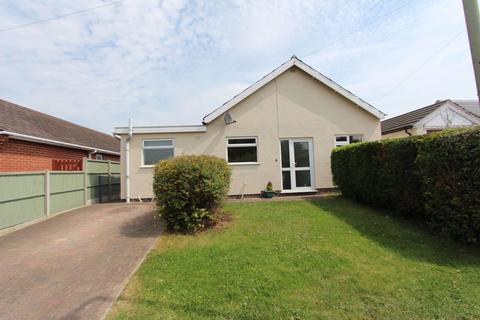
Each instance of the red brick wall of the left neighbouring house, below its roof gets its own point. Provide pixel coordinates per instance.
(18, 155)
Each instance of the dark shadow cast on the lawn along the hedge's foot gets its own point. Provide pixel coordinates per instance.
(399, 235)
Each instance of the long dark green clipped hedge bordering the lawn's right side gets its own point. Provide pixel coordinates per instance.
(434, 179)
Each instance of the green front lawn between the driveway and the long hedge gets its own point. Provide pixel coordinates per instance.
(323, 259)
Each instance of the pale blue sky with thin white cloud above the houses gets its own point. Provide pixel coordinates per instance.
(172, 62)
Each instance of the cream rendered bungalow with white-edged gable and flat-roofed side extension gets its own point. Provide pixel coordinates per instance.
(281, 129)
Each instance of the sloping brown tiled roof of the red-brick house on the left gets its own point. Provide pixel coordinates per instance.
(22, 120)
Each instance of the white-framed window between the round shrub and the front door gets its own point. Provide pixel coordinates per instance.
(242, 150)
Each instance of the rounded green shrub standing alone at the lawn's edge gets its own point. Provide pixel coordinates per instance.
(190, 191)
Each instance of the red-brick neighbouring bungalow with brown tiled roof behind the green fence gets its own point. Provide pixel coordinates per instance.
(32, 141)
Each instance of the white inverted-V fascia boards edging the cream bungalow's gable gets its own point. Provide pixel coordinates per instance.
(275, 73)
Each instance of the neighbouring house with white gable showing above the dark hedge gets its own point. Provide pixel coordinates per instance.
(437, 116)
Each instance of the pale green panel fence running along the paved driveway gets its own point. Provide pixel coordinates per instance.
(28, 196)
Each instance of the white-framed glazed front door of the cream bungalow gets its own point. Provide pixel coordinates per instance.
(297, 165)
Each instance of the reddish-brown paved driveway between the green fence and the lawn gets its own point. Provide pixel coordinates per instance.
(74, 265)
